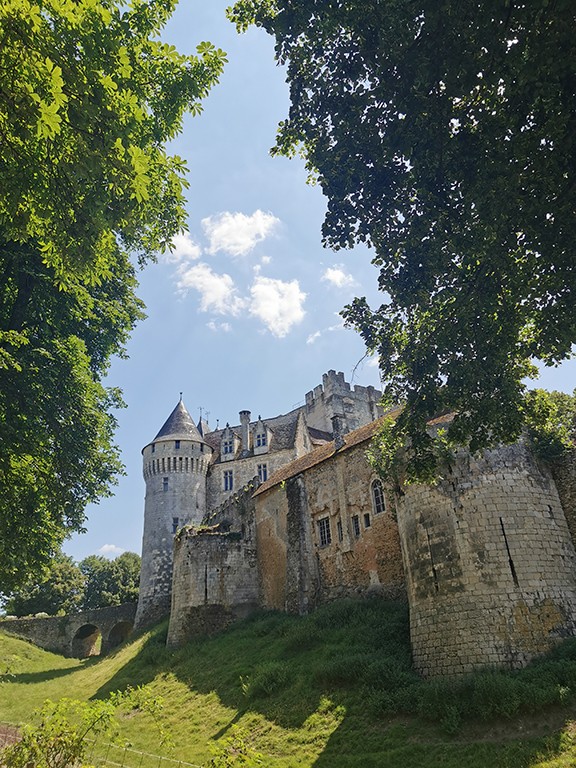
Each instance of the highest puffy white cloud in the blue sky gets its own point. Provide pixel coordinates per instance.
(237, 233)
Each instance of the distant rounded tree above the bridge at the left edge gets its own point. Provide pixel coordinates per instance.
(60, 590)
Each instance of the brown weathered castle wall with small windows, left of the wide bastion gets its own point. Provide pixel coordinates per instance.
(297, 570)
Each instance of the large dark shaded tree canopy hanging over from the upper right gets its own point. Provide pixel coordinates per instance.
(444, 136)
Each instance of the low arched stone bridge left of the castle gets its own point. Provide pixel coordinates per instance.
(79, 635)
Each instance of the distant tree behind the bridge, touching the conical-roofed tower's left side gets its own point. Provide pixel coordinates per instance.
(110, 582)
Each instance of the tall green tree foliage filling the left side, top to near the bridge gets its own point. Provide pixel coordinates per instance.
(89, 97)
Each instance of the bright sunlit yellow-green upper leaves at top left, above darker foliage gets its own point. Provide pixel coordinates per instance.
(88, 98)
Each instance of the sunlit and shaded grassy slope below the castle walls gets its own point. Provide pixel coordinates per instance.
(306, 692)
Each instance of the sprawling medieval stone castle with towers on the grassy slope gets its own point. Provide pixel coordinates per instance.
(285, 513)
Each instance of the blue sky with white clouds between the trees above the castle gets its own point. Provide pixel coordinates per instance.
(243, 314)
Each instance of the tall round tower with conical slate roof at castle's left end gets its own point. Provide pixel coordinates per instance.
(175, 465)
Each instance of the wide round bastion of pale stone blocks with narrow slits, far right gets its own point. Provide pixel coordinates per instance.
(490, 564)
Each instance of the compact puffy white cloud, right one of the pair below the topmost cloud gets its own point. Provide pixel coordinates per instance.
(278, 304)
